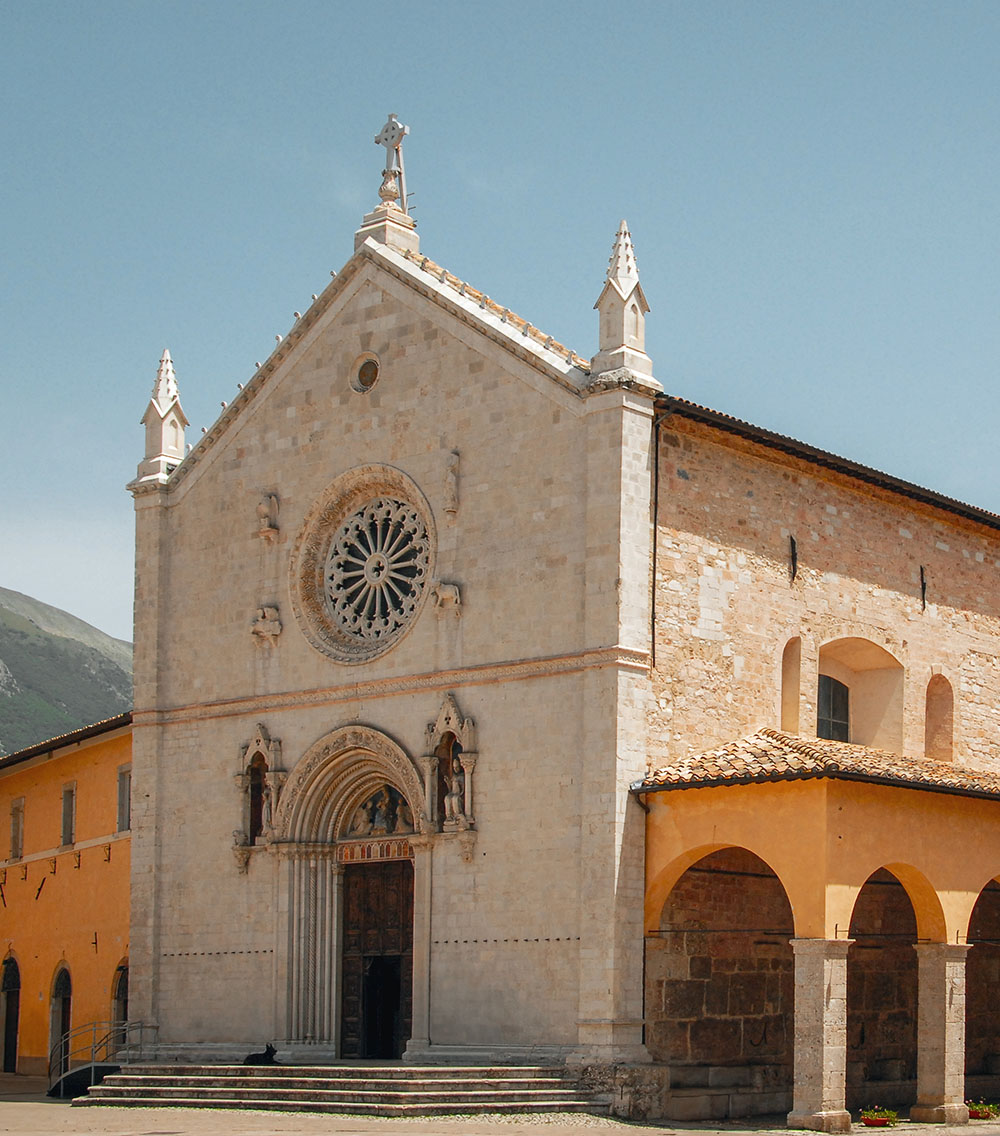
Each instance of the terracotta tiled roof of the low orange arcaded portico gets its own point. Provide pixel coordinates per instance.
(771, 756)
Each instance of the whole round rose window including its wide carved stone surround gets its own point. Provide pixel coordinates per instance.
(363, 564)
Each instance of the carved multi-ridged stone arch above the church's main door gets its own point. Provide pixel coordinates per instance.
(336, 775)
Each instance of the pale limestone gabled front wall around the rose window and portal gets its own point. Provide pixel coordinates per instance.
(535, 550)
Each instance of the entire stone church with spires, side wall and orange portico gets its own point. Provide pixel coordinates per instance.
(494, 706)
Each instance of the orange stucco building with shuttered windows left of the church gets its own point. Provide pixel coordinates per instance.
(64, 889)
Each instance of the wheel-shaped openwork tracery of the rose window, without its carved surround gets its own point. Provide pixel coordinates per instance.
(377, 569)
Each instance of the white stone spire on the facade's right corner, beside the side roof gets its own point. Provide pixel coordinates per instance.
(623, 308)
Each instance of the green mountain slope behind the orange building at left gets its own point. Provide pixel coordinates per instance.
(57, 673)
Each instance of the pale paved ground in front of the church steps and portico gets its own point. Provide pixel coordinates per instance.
(26, 1112)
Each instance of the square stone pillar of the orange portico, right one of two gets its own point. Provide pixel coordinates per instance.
(940, 1034)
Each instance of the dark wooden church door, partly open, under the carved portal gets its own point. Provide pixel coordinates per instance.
(378, 959)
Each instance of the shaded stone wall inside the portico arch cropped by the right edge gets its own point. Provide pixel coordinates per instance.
(982, 1037)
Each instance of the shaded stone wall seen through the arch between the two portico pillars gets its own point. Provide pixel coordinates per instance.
(882, 987)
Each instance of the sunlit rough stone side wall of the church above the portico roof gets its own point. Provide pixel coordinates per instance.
(727, 604)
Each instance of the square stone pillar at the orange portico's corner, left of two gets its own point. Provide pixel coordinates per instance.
(821, 1035)
